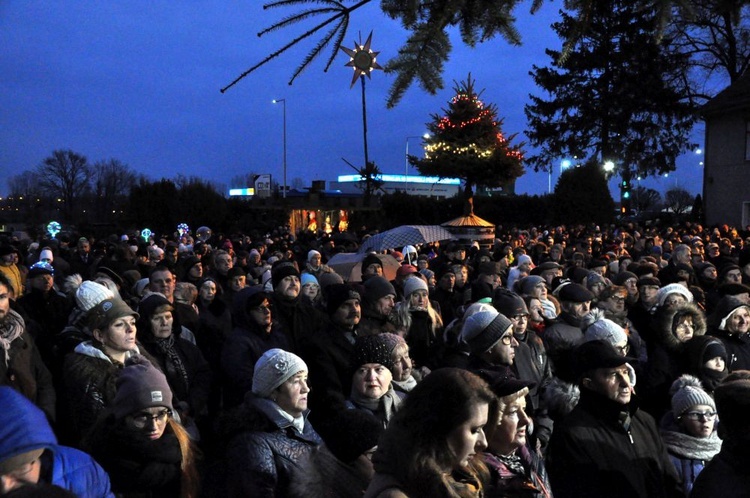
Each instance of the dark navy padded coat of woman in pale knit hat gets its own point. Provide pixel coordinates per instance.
(265, 450)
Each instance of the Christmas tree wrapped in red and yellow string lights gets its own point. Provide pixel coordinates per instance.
(467, 142)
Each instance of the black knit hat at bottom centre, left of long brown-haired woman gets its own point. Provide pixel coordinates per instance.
(356, 431)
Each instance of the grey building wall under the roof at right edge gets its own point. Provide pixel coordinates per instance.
(726, 179)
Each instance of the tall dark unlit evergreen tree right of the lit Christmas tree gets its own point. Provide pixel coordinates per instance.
(614, 97)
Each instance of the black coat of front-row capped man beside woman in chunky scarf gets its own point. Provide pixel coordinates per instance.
(592, 454)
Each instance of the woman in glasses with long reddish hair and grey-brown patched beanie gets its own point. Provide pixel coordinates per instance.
(143, 449)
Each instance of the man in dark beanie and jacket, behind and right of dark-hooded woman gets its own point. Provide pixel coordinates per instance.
(298, 320)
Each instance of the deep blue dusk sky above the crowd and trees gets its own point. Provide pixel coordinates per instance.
(139, 82)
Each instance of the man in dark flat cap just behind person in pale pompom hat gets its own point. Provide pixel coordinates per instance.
(565, 333)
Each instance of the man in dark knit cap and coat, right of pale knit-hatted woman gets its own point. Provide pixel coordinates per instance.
(329, 352)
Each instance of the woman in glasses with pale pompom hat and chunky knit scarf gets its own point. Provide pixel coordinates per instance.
(689, 430)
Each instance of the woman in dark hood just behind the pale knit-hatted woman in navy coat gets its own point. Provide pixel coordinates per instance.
(254, 333)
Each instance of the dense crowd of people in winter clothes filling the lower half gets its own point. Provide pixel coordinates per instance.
(566, 361)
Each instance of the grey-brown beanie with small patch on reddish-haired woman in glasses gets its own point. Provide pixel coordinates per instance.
(140, 385)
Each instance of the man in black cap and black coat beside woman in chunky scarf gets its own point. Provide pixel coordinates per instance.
(606, 446)
